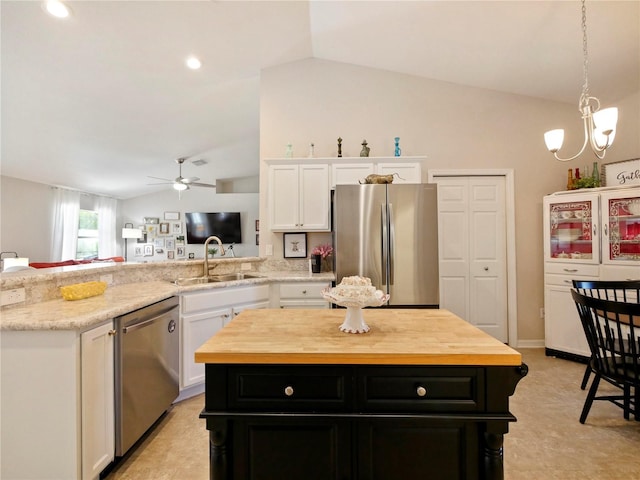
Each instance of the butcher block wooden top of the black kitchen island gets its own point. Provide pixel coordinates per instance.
(397, 337)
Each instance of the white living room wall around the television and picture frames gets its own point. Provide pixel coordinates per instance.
(194, 200)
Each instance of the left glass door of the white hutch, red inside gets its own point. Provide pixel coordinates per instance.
(571, 223)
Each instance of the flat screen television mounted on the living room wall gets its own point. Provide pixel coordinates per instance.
(224, 225)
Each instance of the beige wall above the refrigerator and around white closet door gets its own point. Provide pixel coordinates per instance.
(455, 127)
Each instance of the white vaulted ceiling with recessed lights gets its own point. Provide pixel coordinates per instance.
(102, 100)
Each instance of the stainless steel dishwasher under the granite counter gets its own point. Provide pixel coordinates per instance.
(147, 366)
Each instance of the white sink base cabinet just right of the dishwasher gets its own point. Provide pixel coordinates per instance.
(203, 313)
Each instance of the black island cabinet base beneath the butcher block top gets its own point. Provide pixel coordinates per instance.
(339, 437)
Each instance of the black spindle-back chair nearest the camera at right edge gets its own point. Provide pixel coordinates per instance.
(613, 334)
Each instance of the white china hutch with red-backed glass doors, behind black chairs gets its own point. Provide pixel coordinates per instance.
(589, 235)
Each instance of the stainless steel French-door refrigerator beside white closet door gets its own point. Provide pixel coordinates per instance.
(389, 233)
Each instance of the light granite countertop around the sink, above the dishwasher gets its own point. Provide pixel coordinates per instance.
(117, 300)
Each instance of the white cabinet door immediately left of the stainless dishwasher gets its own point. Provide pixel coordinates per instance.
(98, 441)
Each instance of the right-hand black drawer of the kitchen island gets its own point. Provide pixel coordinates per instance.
(416, 389)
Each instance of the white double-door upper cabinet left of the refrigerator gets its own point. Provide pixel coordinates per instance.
(299, 197)
